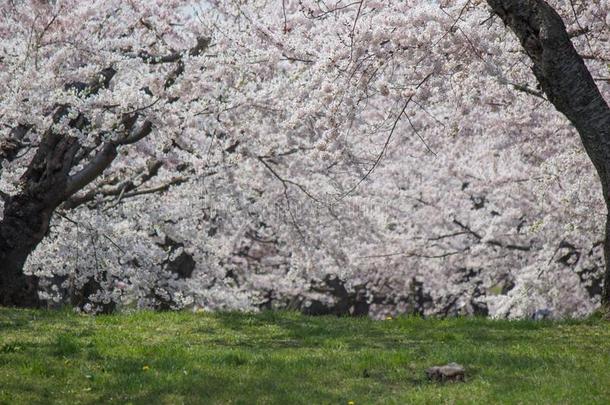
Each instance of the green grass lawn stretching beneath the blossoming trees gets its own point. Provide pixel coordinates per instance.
(287, 358)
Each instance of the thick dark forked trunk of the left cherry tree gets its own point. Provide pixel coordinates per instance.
(48, 182)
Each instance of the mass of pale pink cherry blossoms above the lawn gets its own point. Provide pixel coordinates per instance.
(402, 146)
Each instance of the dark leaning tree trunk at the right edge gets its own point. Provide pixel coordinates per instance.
(568, 84)
